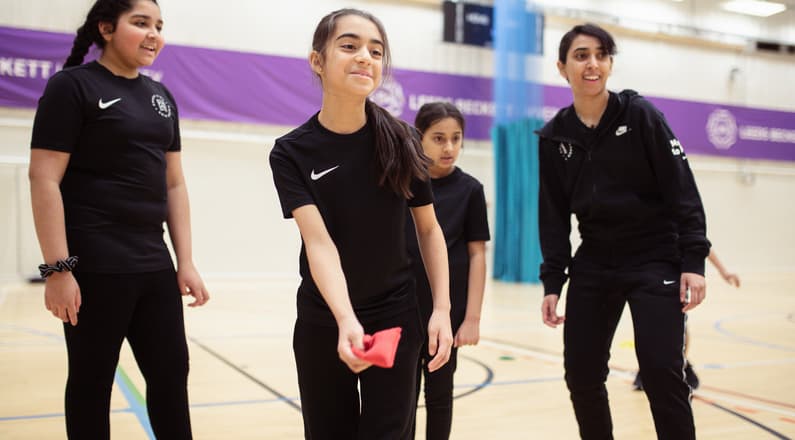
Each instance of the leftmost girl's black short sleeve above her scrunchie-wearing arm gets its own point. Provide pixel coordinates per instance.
(59, 115)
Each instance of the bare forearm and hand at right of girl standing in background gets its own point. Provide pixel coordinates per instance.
(469, 332)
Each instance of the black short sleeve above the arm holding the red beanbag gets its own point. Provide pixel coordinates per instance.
(292, 190)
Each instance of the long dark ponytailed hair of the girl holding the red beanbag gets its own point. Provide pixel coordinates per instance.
(399, 155)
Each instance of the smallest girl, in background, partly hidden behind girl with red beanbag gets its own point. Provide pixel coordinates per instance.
(460, 207)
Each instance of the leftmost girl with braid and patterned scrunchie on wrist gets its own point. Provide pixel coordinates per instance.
(105, 173)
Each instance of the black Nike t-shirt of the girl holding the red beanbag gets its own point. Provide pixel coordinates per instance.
(336, 172)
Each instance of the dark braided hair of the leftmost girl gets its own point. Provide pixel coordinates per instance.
(88, 34)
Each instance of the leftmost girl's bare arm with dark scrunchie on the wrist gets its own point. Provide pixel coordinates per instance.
(61, 292)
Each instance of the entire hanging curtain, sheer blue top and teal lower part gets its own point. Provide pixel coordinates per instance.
(518, 38)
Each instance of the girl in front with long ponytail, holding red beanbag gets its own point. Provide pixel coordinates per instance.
(348, 176)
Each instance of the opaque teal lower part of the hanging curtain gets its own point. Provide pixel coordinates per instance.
(517, 253)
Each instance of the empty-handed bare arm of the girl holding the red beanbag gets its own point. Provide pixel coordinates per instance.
(434, 255)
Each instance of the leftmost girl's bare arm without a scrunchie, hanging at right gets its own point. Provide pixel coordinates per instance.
(179, 229)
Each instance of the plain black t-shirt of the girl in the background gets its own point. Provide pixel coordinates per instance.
(460, 207)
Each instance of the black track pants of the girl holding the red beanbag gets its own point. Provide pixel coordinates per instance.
(329, 395)
